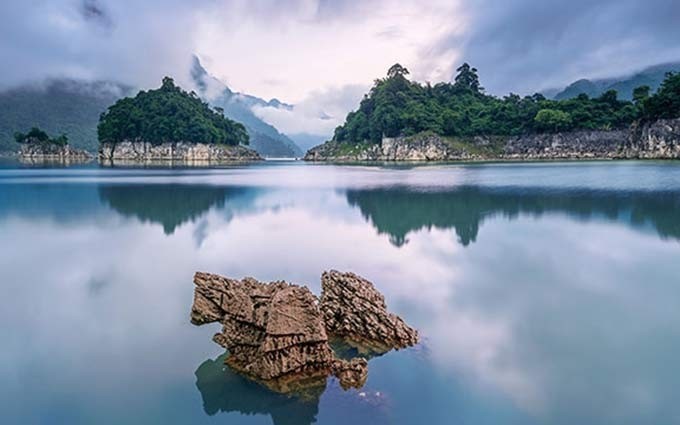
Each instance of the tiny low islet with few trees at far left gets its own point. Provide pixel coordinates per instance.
(38, 147)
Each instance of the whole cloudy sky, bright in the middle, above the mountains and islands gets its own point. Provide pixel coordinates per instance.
(322, 55)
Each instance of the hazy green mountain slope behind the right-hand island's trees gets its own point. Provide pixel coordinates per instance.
(652, 77)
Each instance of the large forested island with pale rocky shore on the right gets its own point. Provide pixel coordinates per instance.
(401, 119)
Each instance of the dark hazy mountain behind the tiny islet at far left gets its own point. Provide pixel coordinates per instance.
(57, 106)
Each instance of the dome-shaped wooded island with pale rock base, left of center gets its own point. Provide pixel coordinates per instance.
(170, 125)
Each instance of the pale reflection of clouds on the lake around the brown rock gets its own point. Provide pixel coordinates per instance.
(575, 321)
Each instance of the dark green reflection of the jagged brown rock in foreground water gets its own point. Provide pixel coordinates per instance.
(223, 390)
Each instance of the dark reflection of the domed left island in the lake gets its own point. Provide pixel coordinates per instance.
(168, 204)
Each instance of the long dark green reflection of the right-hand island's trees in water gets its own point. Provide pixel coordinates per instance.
(398, 211)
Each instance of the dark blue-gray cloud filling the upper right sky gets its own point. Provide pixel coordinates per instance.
(524, 45)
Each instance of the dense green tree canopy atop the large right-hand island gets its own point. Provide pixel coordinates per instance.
(396, 106)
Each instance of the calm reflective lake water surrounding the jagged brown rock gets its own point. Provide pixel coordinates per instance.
(545, 293)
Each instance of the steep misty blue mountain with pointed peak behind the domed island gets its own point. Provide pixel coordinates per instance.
(264, 138)
